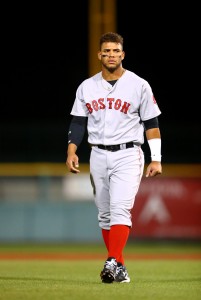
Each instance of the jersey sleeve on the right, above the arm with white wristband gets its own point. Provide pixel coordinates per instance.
(149, 108)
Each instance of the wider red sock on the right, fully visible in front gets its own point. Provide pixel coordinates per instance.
(117, 240)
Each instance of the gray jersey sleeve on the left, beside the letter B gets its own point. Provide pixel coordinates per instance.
(79, 107)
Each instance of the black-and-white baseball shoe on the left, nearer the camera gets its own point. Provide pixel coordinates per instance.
(108, 273)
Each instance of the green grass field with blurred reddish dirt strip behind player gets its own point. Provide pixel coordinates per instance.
(175, 274)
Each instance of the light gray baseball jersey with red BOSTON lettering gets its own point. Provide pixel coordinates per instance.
(115, 114)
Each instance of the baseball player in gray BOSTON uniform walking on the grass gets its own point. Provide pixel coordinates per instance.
(117, 107)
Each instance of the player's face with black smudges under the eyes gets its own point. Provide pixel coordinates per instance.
(111, 55)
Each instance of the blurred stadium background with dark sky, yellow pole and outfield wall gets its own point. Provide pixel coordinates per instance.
(45, 56)
